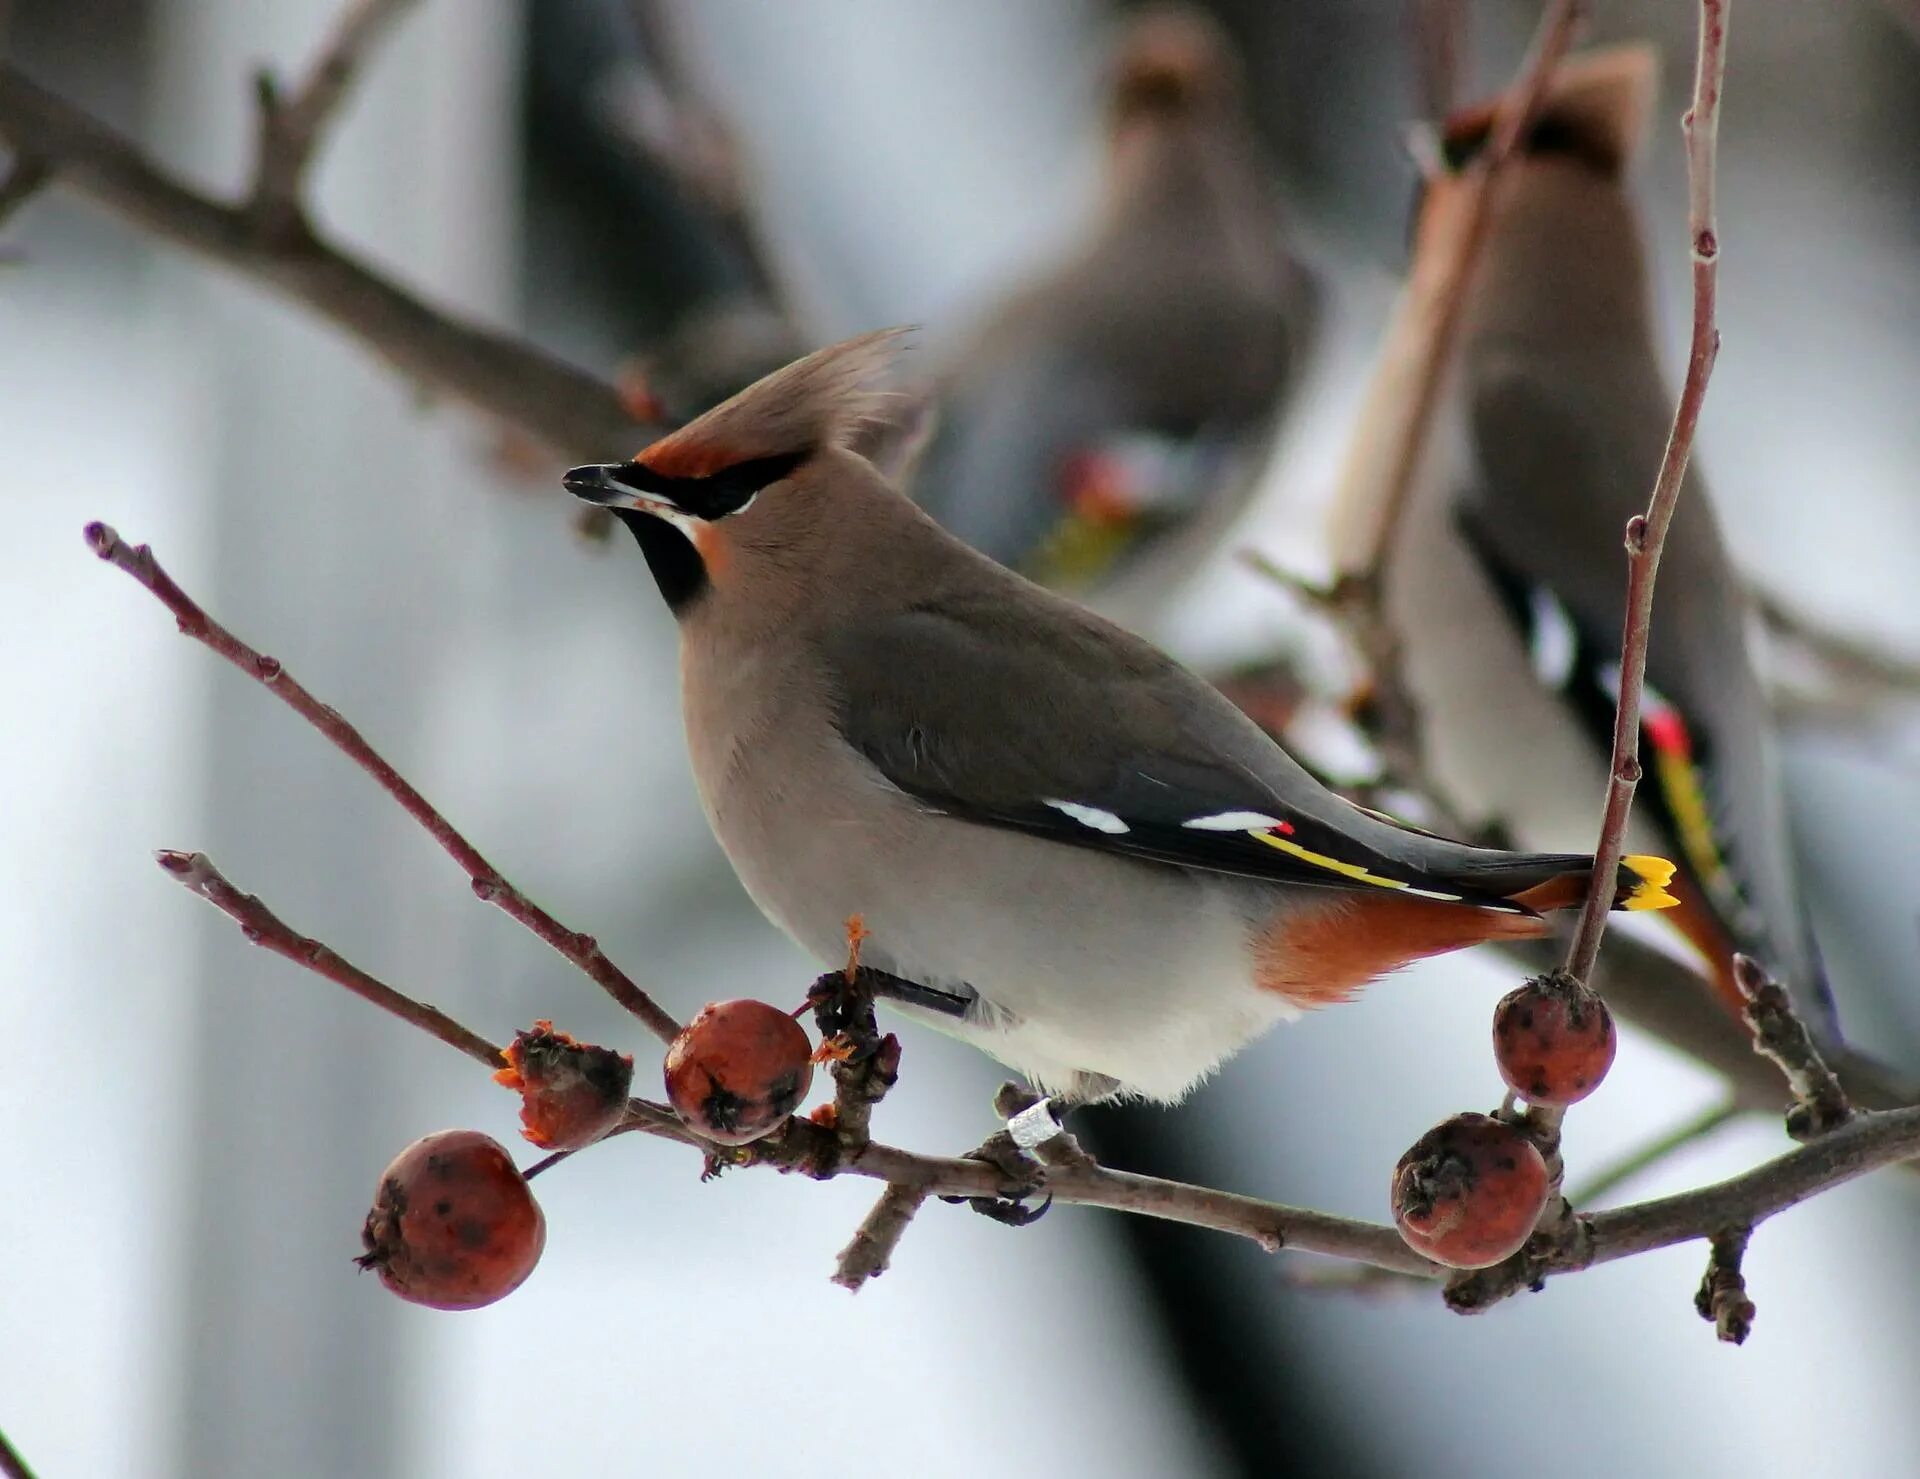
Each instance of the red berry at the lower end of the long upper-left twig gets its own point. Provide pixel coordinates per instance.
(738, 1071)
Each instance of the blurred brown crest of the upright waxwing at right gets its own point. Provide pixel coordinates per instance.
(1596, 110)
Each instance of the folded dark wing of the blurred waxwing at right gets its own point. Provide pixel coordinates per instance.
(1547, 518)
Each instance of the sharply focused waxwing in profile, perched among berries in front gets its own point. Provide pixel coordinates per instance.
(1082, 856)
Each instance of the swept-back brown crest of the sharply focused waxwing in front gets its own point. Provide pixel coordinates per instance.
(792, 414)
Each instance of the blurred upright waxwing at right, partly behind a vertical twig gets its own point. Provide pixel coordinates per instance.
(1504, 577)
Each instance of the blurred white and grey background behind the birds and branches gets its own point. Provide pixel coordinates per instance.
(193, 1128)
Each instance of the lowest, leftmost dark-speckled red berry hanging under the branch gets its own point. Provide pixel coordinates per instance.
(454, 1224)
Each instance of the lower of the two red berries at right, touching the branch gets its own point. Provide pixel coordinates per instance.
(1470, 1192)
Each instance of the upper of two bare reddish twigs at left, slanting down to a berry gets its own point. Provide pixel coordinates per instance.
(487, 881)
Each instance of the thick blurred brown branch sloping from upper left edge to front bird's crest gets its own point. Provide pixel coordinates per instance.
(496, 374)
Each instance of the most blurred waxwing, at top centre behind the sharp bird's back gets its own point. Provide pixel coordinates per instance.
(1116, 406)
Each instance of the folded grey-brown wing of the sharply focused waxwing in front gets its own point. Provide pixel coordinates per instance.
(1074, 733)
